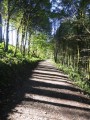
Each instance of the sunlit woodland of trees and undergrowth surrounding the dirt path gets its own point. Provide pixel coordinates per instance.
(34, 30)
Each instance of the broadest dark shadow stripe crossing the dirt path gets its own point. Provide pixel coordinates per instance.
(59, 95)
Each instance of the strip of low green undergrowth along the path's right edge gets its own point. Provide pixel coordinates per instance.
(77, 77)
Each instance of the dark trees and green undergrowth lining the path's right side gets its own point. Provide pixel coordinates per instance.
(72, 42)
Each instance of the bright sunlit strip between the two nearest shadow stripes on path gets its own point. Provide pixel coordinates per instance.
(54, 102)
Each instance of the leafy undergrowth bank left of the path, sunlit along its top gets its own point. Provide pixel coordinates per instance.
(14, 68)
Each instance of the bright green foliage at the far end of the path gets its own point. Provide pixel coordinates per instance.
(40, 47)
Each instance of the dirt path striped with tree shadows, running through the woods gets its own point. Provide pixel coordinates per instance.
(47, 94)
